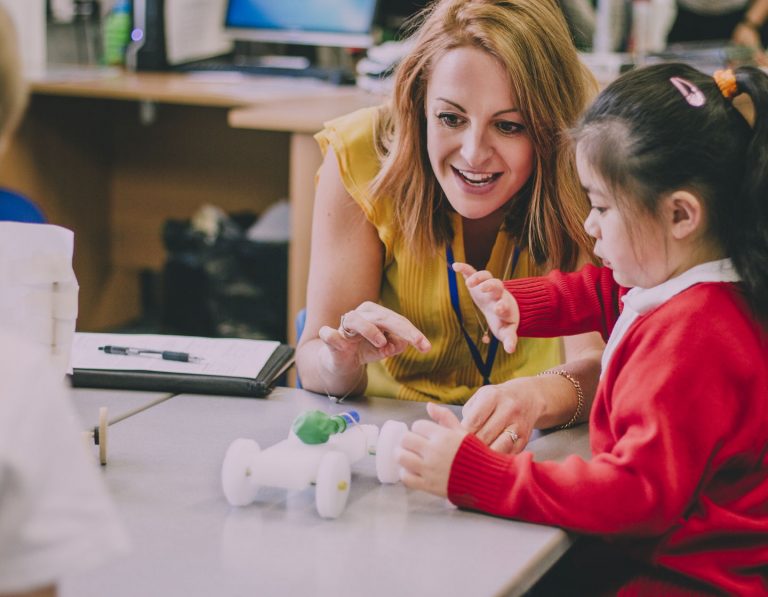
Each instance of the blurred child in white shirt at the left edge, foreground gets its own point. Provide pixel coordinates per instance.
(57, 519)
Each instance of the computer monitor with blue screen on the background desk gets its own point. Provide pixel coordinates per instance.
(339, 23)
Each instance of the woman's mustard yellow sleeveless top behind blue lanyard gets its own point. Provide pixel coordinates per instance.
(419, 290)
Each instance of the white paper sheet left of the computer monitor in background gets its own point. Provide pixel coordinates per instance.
(194, 29)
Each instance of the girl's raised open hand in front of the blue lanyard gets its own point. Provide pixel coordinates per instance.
(498, 306)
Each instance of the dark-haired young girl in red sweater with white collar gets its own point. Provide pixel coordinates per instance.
(678, 182)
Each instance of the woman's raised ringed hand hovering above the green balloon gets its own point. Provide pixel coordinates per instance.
(370, 333)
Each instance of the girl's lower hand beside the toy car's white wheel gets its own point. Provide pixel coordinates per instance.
(427, 451)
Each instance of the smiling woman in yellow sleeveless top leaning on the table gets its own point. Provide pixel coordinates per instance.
(467, 163)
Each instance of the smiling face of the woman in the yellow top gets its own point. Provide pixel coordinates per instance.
(478, 146)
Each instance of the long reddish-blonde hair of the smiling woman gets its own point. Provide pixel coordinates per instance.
(531, 40)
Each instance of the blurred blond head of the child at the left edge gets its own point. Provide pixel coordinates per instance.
(13, 91)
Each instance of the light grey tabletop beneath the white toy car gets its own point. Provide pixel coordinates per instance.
(163, 471)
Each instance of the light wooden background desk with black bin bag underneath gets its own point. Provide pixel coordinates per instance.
(113, 155)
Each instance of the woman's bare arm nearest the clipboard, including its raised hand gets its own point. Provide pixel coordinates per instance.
(346, 272)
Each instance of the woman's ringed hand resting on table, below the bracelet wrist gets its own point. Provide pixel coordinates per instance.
(503, 416)
